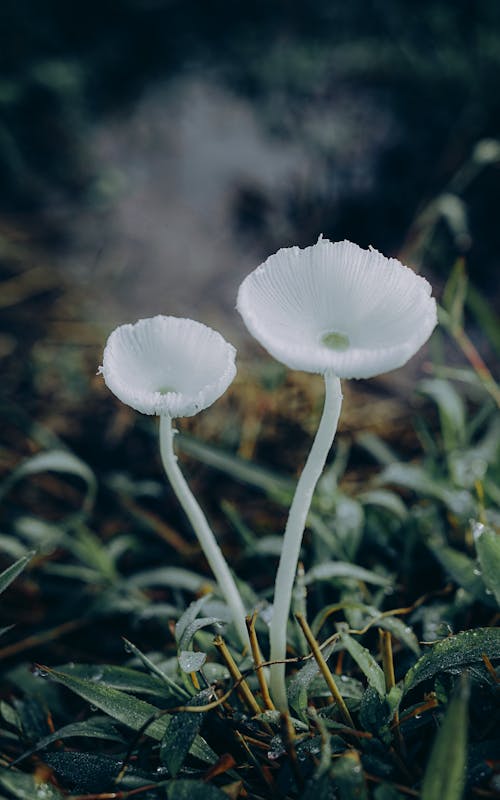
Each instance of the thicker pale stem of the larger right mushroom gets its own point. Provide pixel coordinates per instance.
(293, 535)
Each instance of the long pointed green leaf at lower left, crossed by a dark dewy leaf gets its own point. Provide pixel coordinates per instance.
(130, 711)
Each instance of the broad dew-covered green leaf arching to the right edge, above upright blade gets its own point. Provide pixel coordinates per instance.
(453, 654)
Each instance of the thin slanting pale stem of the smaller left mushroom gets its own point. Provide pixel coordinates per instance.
(202, 529)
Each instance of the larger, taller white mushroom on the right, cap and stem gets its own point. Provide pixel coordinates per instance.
(344, 312)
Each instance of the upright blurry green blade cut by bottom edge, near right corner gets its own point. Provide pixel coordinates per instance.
(444, 777)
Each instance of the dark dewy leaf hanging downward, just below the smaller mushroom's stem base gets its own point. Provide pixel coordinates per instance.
(181, 733)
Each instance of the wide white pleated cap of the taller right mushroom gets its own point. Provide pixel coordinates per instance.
(336, 307)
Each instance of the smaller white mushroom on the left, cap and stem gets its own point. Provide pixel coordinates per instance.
(174, 367)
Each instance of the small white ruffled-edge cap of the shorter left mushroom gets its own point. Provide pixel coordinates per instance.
(168, 365)
